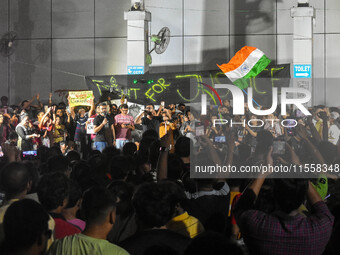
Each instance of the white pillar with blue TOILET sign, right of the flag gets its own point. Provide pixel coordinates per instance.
(303, 46)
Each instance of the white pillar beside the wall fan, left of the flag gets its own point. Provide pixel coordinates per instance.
(137, 41)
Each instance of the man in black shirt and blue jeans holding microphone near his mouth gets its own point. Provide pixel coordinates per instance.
(104, 128)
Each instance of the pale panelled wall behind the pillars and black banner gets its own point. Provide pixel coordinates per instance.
(61, 41)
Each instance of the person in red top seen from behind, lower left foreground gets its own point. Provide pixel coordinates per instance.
(53, 193)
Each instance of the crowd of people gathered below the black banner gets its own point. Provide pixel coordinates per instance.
(126, 187)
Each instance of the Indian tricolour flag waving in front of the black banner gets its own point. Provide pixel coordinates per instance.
(248, 62)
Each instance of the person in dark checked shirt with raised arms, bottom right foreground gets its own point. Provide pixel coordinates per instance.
(296, 233)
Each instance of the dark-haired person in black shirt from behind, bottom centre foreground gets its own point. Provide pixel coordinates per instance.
(154, 207)
